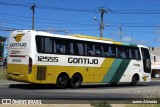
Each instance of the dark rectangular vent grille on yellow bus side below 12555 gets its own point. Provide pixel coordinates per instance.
(41, 73)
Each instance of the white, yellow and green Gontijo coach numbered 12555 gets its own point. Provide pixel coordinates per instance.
(45, 58)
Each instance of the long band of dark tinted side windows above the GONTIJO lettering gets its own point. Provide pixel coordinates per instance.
(82, 48)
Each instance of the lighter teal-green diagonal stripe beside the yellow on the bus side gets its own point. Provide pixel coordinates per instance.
(109, 75)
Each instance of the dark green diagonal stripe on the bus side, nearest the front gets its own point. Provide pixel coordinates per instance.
(120, 71)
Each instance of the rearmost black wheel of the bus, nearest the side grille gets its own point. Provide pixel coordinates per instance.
(62, 81)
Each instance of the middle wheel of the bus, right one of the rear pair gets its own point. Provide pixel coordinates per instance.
(76, 81)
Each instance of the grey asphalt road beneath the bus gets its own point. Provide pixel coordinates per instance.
(86, 92)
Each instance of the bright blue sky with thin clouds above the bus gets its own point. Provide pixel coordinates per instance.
(139, 20)
